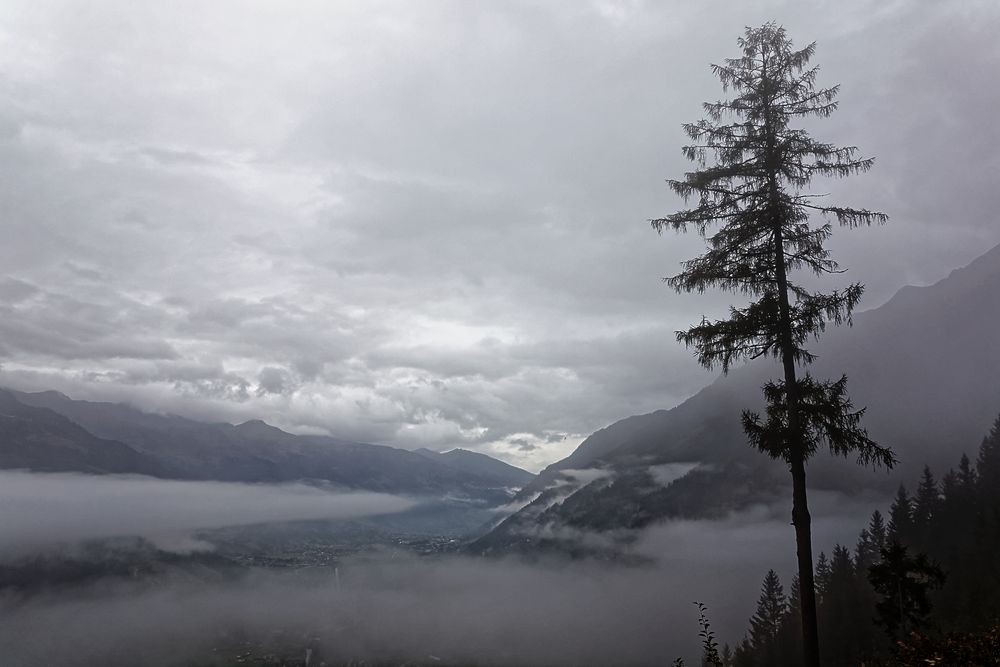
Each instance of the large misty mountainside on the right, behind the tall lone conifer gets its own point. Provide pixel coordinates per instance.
(926, 364)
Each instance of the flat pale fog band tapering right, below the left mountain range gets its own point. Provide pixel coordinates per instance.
(43, 510)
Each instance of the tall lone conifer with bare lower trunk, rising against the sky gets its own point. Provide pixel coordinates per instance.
(755, 191)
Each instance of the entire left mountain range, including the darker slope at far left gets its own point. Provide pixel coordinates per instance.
(114, 437)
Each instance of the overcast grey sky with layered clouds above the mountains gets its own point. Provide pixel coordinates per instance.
(425, 223)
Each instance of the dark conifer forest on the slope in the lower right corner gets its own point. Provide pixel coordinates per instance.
(911, 585)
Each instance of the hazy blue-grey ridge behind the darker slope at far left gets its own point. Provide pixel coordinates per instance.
(257, 452)
